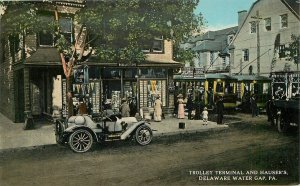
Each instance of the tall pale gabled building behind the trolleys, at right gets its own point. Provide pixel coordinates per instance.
(277, 21)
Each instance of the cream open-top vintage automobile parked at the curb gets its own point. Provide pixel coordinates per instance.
(80, 132)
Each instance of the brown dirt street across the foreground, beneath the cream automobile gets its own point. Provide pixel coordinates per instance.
(191, 159)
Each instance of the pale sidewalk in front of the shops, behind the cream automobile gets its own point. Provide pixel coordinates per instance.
(13, 136)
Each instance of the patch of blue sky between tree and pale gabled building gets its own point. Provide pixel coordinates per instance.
(221, 14)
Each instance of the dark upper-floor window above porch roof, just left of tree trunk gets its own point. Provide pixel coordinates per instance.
(45, 37)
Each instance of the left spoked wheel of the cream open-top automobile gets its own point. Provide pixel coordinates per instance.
(81, 141)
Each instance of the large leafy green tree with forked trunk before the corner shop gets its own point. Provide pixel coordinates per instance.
(116, 31)
